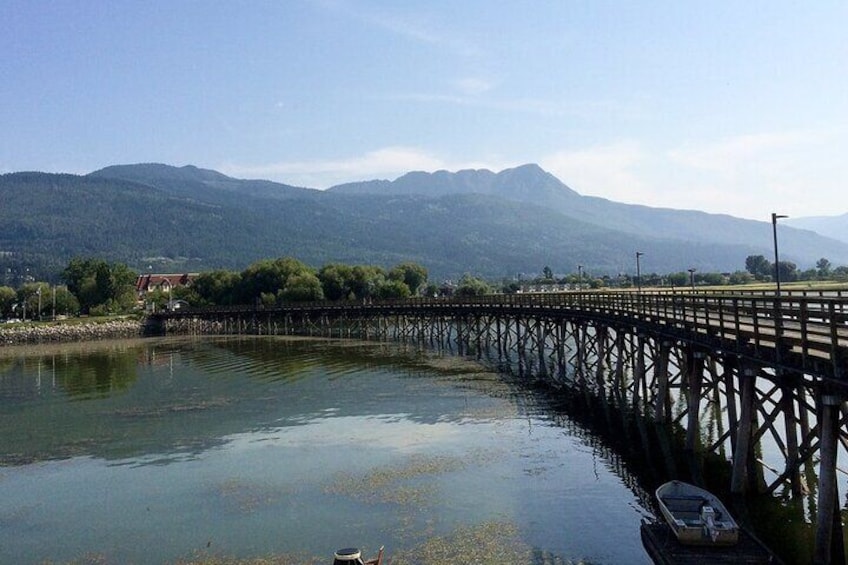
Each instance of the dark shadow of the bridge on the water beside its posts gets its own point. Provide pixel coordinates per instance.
(646, 454)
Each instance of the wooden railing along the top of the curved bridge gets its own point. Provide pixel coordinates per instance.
(812, 326)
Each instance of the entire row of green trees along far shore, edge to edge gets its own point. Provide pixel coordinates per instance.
(96, 287)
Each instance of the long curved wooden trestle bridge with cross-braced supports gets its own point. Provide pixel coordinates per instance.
(774, 367)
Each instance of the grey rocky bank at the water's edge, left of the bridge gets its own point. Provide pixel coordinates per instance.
(31, 334)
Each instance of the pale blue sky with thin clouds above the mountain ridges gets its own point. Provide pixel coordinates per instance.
(728, 107)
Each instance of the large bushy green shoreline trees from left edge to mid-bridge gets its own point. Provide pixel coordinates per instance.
(96, 287)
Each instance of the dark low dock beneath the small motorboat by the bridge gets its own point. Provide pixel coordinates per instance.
(662, 546)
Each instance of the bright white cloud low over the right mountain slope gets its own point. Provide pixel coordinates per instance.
(746, 175)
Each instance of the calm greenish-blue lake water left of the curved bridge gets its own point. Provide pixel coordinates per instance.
(217, 449)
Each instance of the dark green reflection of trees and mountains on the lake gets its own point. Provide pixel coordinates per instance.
(164, 400)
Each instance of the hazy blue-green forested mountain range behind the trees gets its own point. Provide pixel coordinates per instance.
(480, 222)
